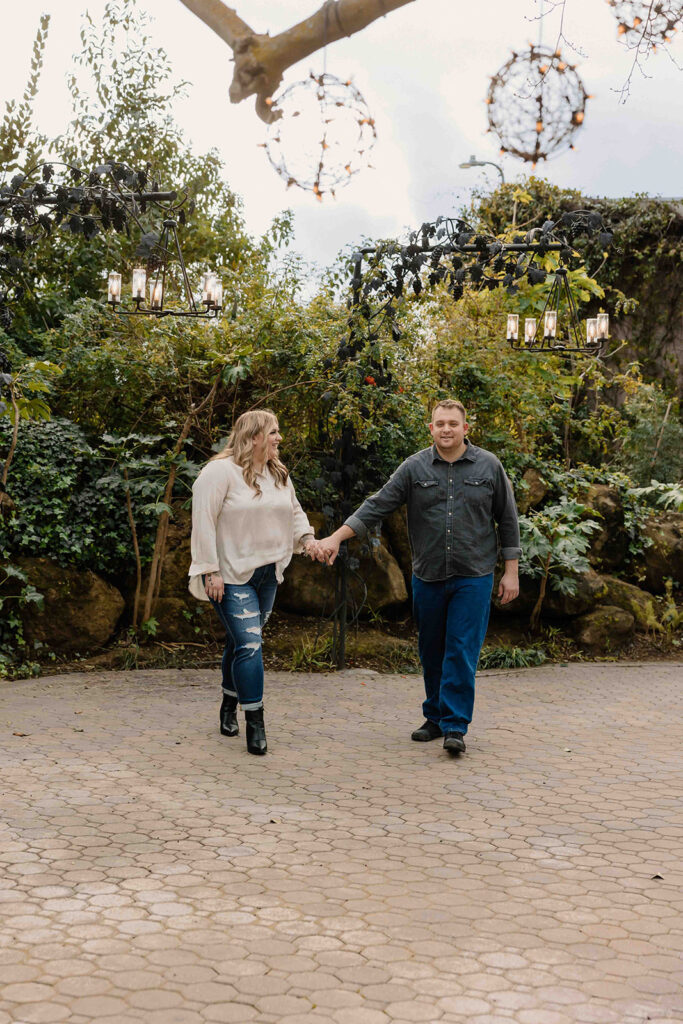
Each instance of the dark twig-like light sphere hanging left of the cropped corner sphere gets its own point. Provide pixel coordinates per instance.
(536, 103)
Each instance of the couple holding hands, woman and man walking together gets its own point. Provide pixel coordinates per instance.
(247, 524)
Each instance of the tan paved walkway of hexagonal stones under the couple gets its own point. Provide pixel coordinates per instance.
(153, 872)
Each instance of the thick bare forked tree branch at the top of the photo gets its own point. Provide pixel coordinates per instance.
(261, 60)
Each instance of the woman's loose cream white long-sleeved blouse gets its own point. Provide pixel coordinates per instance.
(236, 531)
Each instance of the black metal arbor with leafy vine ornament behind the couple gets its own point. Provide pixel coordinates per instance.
(451, 253)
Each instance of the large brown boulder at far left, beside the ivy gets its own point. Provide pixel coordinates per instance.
(80, 611)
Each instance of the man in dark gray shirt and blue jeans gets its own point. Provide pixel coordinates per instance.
(457, 496)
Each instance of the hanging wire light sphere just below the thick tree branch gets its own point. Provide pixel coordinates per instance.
(322, 135)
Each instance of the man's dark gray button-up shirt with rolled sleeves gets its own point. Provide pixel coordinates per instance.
(453, 511)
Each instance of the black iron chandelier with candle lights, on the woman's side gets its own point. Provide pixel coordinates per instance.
(153, 279)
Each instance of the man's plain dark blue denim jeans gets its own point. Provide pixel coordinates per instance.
(452, 617)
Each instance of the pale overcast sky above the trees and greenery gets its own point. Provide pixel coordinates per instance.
(424, 71)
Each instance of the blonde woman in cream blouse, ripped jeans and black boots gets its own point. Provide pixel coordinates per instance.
(247, 523)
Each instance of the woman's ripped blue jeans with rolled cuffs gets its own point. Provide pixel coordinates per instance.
(244, 612)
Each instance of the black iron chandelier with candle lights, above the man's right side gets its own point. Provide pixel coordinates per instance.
(547, 332)
